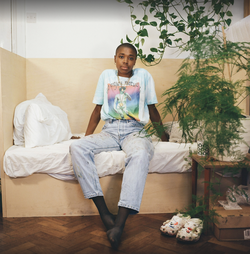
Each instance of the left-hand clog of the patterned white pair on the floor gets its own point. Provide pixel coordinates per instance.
(171, 227)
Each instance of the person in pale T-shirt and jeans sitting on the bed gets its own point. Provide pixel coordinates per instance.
(125, 99)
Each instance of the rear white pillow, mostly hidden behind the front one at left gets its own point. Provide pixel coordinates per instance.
(19, 117)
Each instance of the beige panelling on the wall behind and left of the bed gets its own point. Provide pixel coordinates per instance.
(67, 83)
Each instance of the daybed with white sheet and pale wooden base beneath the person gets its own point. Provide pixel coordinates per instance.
(34, 191)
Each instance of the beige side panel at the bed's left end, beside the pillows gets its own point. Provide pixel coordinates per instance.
(12, 92)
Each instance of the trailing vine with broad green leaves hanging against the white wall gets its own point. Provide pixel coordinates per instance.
(164, 16)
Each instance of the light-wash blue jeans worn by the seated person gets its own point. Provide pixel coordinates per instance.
(116, 135)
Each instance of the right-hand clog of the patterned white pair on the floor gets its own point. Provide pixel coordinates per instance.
(191, 231)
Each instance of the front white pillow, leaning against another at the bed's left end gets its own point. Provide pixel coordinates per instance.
(45, 125)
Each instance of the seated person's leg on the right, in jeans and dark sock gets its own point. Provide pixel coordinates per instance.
(139, 151)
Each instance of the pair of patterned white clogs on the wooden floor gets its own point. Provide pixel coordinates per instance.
(185, 228)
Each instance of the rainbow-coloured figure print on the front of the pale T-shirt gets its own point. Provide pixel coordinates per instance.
(123, 100)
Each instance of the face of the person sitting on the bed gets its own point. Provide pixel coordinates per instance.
(125, 59)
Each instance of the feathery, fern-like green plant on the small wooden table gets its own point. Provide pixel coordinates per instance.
(205, 96)
